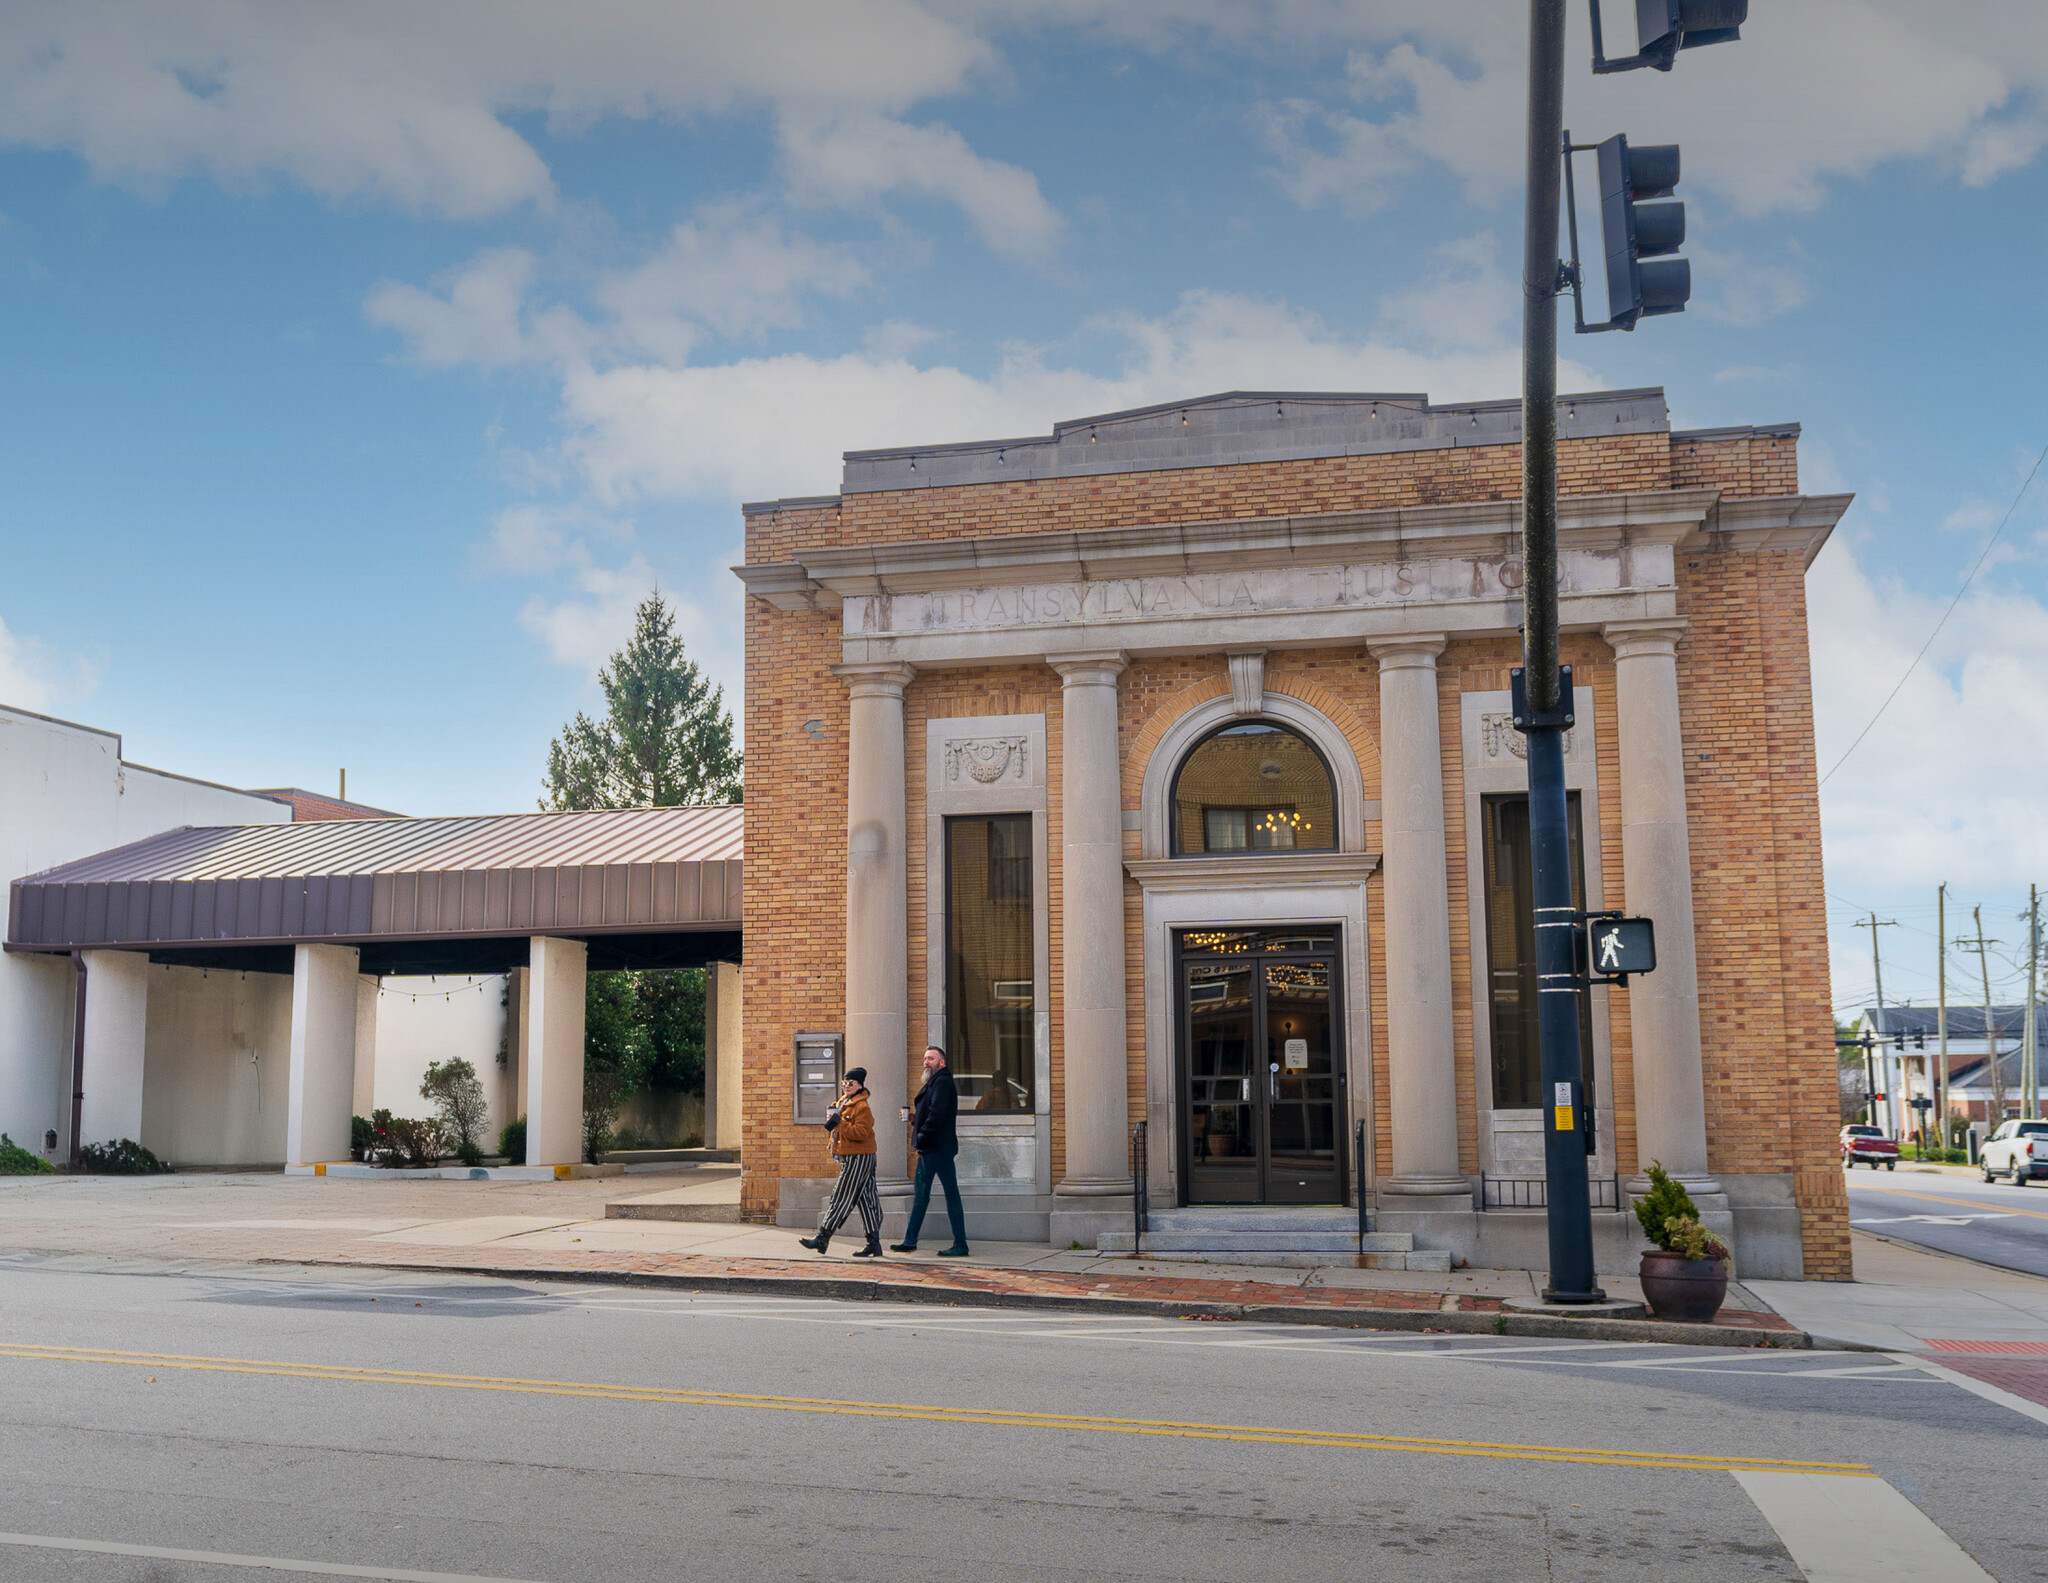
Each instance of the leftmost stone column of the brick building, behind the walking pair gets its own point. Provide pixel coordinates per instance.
(878, 906)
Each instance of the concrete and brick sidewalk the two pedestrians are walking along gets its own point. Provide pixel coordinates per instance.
(560, 1230)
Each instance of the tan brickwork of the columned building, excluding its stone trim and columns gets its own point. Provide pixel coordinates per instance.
(1750, 783)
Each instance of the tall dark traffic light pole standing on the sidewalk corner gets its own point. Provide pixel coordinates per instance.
(1545, 705)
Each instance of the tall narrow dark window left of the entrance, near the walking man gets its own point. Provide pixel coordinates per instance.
(990, 990)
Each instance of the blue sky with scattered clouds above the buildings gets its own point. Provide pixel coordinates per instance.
(366, 366)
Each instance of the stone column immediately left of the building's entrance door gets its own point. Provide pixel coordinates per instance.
(1095, 1023)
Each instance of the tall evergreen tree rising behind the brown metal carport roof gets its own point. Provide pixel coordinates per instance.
(667, 738)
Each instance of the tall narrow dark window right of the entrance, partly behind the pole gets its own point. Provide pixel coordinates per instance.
(1512, 951)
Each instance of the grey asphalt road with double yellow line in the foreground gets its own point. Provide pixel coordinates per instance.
(490, 1430)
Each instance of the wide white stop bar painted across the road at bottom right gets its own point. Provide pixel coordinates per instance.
(1848, 1531)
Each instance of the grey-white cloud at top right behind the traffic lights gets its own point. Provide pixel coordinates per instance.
(1816, 91)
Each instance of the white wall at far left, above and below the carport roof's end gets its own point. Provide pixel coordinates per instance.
(67, 794)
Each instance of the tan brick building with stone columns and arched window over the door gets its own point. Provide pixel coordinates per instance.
(1162, 771)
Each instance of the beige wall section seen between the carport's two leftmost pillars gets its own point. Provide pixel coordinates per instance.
(216, 1066)
